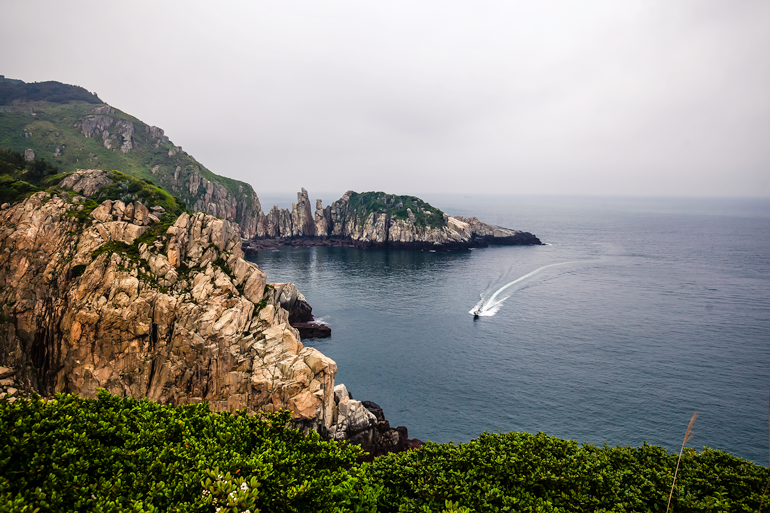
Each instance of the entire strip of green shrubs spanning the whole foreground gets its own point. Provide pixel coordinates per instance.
(112, 454)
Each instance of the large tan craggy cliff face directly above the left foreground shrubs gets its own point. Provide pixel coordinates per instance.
(98, 300)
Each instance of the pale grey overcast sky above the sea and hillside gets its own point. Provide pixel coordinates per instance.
(597, 97)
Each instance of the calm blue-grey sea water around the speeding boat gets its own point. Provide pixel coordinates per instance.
(660, 307)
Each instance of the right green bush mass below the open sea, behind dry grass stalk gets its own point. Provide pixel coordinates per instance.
(525, 472)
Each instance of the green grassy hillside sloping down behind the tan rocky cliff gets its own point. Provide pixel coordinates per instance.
(49, 117)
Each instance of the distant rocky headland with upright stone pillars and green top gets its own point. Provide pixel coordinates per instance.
(378, 220)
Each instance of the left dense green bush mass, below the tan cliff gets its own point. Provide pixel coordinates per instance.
(114, 454)
